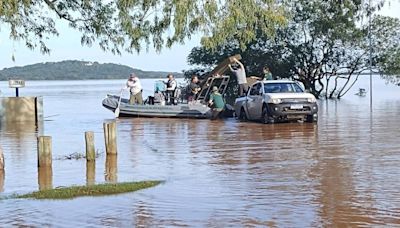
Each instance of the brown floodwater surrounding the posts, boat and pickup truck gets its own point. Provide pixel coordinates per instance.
(343, 171)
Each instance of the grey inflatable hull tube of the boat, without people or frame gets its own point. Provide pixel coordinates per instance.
(197, 111)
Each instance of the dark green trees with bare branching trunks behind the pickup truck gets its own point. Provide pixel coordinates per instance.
(325, 46)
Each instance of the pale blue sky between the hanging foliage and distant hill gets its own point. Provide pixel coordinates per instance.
(67, 47)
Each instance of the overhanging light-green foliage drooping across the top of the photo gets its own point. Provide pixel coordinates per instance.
(131, 24)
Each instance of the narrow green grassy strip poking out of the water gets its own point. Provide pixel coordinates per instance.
(92, 190)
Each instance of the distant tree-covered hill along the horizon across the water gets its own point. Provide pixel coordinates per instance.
(76, 70)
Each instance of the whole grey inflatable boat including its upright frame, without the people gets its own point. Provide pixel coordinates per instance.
(155, 106)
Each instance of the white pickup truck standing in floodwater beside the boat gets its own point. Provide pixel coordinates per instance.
(277, 100)
